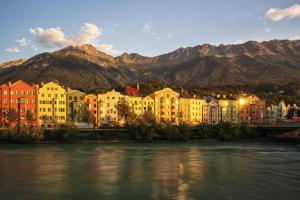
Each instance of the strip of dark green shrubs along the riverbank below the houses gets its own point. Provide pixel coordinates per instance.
(142, 132)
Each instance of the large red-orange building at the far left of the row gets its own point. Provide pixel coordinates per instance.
(18, 104)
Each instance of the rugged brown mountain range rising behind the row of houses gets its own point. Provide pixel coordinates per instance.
(85, 67)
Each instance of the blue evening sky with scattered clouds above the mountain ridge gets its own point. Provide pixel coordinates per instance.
(138, 26)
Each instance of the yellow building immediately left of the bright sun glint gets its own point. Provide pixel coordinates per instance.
(228, 110)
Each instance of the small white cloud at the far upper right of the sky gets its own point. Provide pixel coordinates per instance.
(277, 14)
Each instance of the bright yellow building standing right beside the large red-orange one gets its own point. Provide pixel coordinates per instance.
(52, 106)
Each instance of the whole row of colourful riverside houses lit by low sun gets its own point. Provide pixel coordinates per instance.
(50, 104)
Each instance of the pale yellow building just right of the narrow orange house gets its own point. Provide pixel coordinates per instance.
(107, 107)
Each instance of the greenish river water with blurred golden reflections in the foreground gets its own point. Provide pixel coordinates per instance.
(150, 171)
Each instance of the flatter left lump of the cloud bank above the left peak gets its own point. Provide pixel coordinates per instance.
(49, 38)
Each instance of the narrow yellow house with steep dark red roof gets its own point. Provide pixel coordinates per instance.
(134, 100)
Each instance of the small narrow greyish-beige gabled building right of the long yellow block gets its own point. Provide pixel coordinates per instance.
(210, 111)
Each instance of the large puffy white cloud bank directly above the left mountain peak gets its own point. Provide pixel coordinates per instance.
(55, 38)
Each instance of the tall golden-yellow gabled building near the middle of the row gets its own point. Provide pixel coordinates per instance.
(166, 106)
